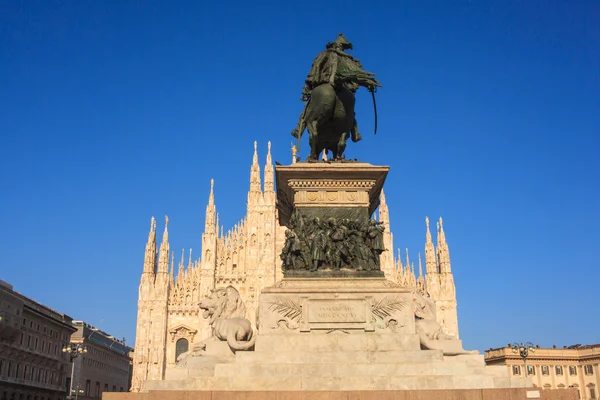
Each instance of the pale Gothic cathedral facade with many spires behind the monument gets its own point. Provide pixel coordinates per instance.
(247, 258)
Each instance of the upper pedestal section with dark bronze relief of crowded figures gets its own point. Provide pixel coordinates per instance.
(328, 207)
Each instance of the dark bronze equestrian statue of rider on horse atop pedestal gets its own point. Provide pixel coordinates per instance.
(329, 95)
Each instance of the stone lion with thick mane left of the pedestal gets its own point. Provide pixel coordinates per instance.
(226, 311)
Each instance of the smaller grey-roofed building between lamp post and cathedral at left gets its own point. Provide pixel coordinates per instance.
(106, 367)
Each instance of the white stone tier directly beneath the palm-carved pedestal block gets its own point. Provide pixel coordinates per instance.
(336, 341)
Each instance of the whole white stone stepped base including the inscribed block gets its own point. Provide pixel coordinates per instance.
(335, 334)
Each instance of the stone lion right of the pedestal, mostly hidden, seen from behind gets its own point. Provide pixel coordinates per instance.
(431, 334)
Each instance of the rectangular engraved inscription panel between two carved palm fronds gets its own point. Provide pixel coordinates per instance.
(337, 311)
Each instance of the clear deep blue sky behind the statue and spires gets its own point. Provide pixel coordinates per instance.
(115, 111)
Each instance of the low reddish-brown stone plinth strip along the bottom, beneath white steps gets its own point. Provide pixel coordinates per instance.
(466, 394)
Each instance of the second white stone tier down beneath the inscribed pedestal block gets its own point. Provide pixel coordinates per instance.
(294, 357)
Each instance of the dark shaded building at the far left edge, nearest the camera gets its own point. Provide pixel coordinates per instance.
(32, 364)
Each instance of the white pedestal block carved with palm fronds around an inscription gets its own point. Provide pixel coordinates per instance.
(310, 305)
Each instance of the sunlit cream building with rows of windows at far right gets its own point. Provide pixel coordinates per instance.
(556, 368)
